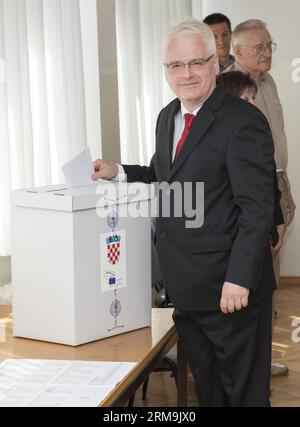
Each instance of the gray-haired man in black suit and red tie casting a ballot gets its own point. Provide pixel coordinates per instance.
(219, 276)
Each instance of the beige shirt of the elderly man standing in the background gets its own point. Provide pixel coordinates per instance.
(267, 100)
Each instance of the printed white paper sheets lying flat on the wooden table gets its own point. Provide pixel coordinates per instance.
(58, 383)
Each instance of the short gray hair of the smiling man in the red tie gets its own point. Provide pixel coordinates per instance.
(192, 27)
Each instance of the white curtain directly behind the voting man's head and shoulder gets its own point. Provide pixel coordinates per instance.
(142, 88)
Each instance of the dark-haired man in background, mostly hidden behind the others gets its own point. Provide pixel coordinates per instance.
(221, 27)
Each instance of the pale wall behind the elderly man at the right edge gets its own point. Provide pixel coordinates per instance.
(283, 22)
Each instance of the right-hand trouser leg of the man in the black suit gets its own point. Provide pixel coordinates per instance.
(244, 355)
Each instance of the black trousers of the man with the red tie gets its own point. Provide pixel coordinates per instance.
(230, 355)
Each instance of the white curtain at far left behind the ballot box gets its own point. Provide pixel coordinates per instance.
(43, 118)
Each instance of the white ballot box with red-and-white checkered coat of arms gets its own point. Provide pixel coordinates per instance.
(81, 261)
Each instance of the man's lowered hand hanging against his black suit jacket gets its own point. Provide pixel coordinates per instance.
(234, 297)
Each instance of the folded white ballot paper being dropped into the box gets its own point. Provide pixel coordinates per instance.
(78, 171)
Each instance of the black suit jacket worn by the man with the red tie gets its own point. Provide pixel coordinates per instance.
(230, 149)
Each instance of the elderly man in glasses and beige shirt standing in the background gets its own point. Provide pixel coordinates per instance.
(253, 48)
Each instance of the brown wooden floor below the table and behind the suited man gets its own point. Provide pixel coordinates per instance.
(285, 390)
